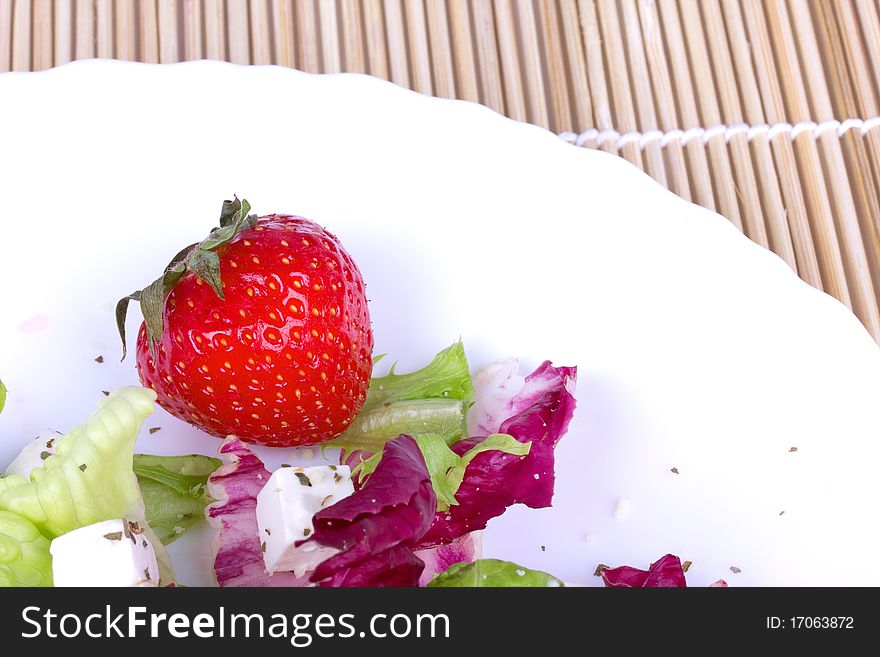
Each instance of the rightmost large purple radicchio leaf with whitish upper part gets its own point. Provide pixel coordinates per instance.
(539, 413)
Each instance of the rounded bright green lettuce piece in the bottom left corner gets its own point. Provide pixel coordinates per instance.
(24, 553)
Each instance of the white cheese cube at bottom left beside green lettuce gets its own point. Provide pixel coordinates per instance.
(108, 553)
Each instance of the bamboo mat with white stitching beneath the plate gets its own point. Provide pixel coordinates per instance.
(764, 111)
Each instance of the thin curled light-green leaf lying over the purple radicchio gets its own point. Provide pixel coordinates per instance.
(445, 467)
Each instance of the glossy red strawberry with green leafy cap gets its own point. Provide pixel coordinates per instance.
(261, 330)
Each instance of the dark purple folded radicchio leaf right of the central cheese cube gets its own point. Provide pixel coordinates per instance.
(375, 529)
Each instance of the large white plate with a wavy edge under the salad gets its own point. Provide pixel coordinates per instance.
(696, 349)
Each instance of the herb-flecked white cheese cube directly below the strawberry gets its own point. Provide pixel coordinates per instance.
(285, 507)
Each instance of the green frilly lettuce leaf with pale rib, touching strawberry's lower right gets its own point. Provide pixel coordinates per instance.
(433, 399)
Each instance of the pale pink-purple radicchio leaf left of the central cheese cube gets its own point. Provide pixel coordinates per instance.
(238, 557)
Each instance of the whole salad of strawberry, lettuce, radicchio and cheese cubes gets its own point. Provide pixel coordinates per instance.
(260, 335)
